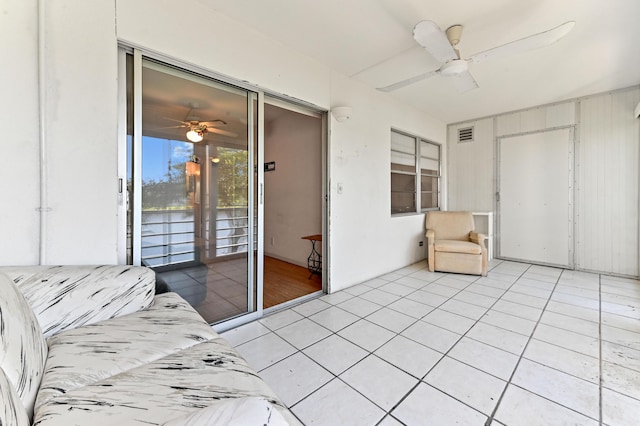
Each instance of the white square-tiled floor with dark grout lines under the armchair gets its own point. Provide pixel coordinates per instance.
(526, 345)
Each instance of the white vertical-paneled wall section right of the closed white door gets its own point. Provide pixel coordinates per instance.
(607, 186)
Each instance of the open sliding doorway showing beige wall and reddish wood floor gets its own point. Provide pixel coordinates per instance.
(293, 201)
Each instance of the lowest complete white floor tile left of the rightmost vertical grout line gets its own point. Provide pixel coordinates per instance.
(567, 390)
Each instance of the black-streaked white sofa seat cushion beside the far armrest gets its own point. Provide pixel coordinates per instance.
(89, 354)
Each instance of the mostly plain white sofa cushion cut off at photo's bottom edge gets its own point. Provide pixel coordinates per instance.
(234, 412)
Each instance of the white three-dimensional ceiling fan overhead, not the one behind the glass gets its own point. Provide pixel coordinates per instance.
(443, 47)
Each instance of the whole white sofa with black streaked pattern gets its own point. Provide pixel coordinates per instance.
(94, 345)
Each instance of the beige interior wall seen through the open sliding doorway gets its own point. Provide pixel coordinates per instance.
(293, 191)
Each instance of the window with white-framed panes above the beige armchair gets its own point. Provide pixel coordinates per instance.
(415, 174)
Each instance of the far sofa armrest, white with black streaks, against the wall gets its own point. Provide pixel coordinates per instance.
(65, 297)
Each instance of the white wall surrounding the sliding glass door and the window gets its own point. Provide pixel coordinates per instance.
(82, 111)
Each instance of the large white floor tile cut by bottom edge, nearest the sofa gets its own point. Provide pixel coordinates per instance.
(337, 404)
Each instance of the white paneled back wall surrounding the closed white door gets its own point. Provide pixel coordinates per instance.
(607, 161)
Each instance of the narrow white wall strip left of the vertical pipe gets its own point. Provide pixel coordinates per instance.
(19, 165)
